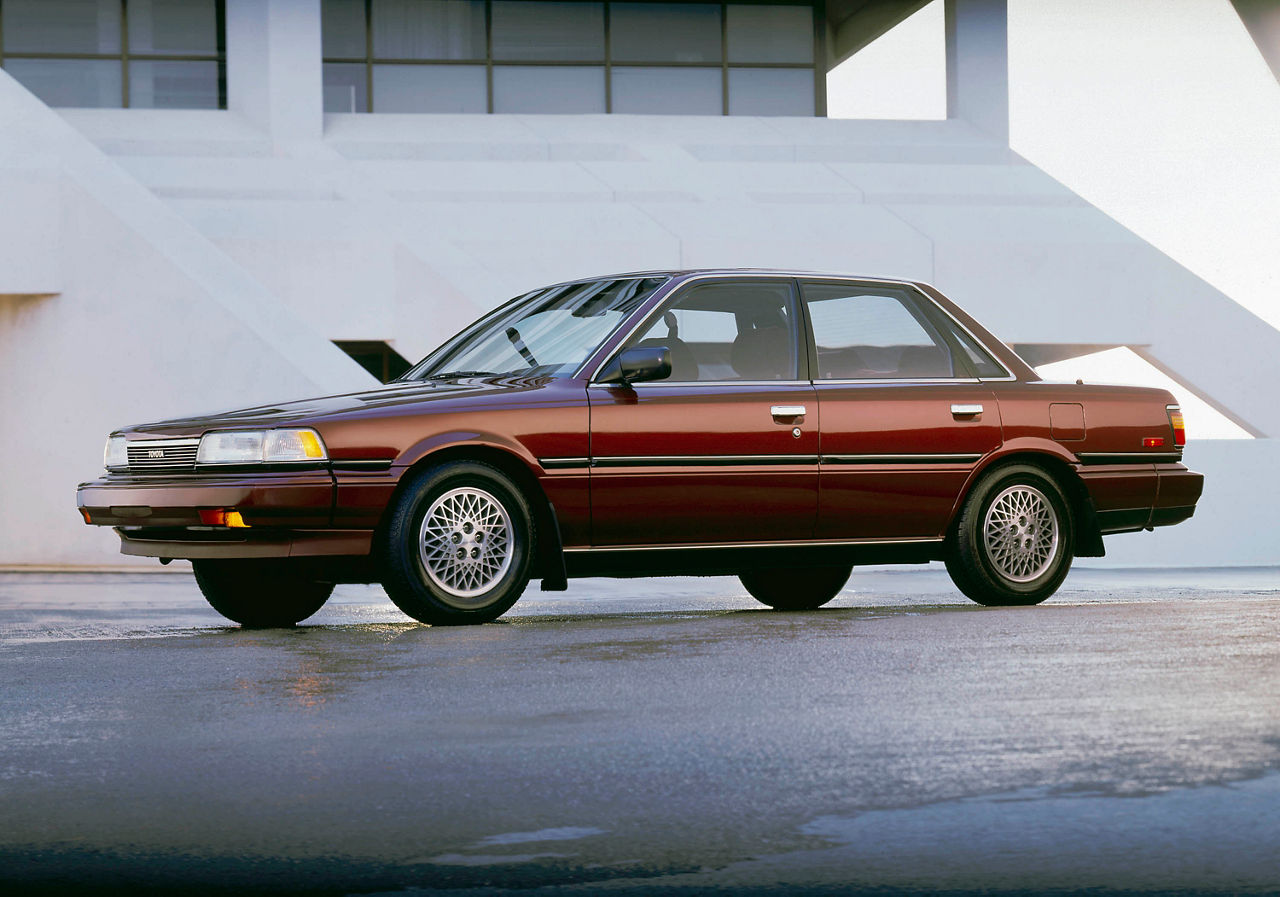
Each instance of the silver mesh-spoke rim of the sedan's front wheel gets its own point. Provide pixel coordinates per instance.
(465, 544)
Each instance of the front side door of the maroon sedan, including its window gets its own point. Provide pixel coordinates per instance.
(726, 448)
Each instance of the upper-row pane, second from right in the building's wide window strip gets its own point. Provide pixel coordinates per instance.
(665, 33)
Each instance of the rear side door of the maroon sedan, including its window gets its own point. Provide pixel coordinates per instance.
(906, 418)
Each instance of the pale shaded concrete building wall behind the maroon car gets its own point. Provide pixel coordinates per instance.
(204, 259)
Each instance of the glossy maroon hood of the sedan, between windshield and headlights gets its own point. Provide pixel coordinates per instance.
(435, 393)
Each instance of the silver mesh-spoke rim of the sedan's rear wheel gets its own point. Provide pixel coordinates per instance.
(1021, 534)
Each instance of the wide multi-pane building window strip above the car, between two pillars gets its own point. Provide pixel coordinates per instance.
(573, 57)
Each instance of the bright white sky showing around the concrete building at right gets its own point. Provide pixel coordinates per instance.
(1162, 113)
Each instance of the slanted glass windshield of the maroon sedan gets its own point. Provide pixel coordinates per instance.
(547, 333)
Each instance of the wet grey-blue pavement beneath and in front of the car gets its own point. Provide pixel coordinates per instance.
(665, 736)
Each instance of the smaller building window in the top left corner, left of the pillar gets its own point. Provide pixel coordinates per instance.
(147, 54)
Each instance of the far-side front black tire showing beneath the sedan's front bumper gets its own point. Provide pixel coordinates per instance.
(260, 593)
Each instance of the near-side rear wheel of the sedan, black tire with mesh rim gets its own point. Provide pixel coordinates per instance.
(1021, 561)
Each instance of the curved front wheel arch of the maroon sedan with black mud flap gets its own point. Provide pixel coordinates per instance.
(548, 564)
